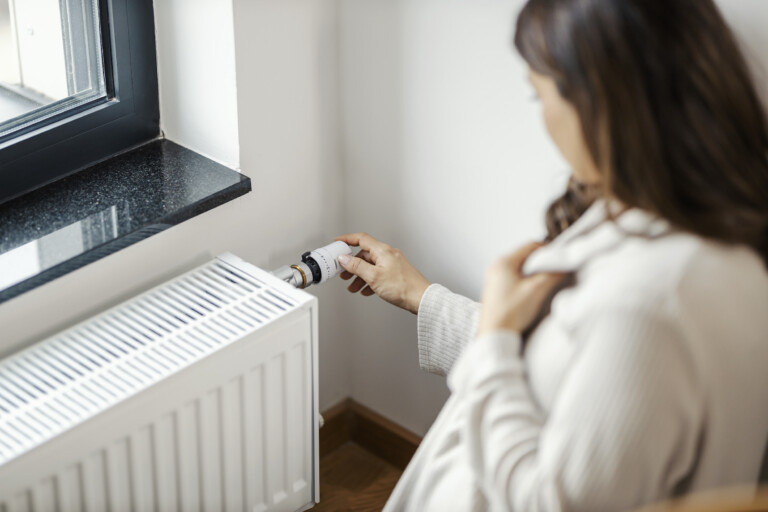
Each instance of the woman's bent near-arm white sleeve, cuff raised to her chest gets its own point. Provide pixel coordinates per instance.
(623, 430)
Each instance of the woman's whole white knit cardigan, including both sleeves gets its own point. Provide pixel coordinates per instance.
(647, 380)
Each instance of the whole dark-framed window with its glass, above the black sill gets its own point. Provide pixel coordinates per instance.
(78, 83)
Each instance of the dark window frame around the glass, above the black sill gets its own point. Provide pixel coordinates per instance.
(129, 116)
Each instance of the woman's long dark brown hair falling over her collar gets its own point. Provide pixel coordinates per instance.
(668, 109)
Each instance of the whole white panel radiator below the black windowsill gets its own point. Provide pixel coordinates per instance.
(200, 394)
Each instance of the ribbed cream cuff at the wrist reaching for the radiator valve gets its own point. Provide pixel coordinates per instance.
(446, 323)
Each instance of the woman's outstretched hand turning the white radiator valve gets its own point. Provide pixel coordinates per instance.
(383, 271)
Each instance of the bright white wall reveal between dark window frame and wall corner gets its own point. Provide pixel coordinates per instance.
(196, 74)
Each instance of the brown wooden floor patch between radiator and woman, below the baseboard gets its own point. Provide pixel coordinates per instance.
(354, 479)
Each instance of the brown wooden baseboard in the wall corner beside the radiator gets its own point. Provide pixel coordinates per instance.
(351, 421)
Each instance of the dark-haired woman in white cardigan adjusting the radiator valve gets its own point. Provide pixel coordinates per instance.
(623, 361)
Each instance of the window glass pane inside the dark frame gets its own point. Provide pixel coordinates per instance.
(50, 60)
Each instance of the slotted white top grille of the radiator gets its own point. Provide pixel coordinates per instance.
(60, 382)
